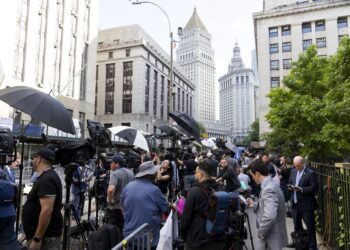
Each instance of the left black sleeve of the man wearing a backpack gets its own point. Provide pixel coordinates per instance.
(187, 216)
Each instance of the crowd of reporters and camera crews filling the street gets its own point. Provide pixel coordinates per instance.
(134, 196)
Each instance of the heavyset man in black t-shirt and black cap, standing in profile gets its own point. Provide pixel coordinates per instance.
(41, 217)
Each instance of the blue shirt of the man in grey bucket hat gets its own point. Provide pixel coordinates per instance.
(142, 202)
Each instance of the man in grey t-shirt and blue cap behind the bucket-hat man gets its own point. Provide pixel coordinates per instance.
(119, 178)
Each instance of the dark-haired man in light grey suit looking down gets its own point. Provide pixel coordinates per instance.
(270, 209)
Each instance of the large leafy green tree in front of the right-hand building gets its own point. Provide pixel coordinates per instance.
(311, 115)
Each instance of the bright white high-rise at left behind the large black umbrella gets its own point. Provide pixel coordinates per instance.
(51, 45)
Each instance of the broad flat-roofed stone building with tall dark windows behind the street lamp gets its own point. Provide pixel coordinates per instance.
(132, 81)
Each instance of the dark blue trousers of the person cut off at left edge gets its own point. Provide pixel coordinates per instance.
(7, 233)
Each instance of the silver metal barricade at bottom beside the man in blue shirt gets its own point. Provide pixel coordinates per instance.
(140, 239)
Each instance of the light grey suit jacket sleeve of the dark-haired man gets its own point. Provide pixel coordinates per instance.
(269, 214)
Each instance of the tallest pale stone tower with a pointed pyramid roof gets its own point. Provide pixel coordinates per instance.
(196, 57)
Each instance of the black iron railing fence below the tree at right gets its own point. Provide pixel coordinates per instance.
(333, 214)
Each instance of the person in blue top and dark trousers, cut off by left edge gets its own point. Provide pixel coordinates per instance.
(7, 214)
